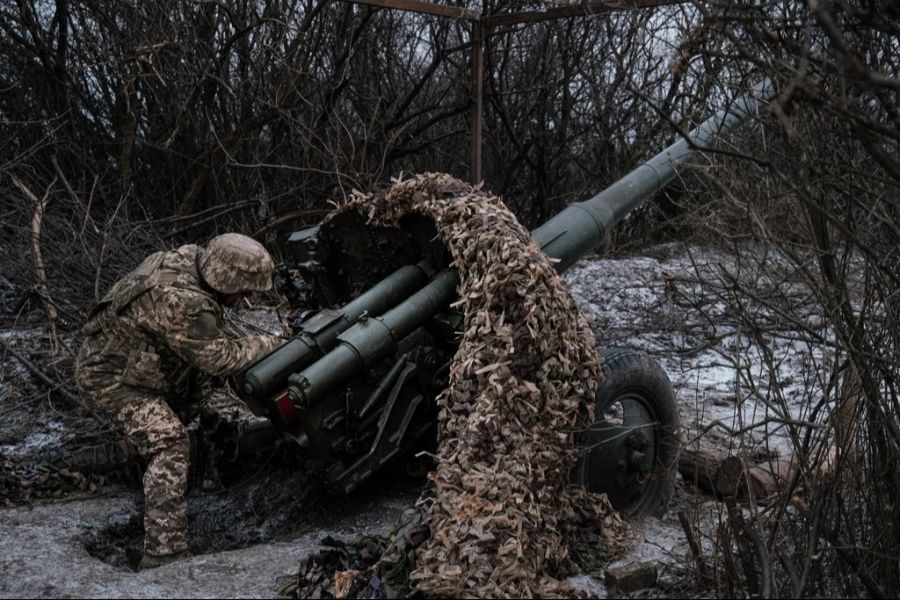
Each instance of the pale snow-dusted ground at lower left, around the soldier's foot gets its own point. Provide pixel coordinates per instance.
(44, 555)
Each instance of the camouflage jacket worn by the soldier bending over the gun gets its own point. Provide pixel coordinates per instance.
(158, 327)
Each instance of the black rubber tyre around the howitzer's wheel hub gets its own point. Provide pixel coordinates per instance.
(629, 372)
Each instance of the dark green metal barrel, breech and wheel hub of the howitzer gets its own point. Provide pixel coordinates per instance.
(360, 375)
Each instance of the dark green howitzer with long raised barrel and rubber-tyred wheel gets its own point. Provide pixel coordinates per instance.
(360, 375)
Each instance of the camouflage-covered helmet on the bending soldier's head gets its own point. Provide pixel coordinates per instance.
(233, 263)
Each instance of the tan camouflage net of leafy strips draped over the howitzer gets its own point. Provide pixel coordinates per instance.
(502, 509)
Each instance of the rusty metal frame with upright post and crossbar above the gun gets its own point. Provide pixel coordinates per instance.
(481, 30)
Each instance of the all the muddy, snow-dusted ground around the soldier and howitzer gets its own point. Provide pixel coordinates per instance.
(251, 524)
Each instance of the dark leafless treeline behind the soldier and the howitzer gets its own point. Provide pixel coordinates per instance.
(267, 107)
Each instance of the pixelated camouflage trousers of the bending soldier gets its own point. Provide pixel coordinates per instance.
(162, 440)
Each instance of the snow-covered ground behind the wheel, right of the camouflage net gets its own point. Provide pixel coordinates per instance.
(749, 381)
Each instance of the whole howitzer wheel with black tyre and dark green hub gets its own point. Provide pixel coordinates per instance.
(632, 448)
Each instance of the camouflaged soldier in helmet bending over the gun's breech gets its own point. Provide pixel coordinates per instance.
(146, 343)
